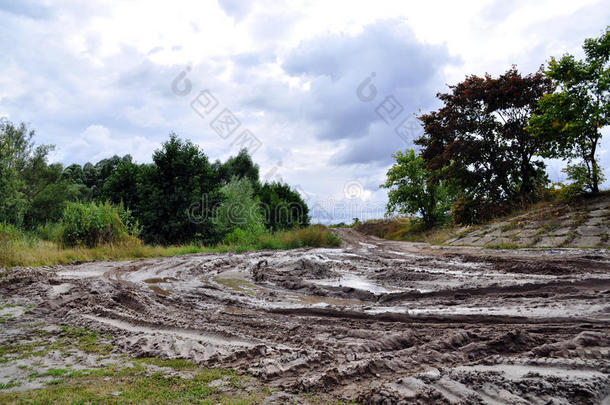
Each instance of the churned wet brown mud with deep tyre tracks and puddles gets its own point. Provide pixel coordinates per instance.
(375, 321)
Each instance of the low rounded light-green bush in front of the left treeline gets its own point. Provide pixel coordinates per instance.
(93, 224)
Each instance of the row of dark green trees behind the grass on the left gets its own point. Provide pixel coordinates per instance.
(181, 197)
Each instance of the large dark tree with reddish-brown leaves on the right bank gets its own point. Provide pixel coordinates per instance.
(478, 141)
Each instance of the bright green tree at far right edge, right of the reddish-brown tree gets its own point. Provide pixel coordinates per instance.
(570, 120)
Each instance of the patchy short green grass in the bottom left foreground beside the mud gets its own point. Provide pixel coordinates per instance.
(141, 380)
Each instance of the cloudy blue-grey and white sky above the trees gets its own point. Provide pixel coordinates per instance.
(320, 92)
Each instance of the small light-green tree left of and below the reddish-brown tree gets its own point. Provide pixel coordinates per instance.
(412, 192)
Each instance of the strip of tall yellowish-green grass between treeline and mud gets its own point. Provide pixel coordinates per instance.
(17, 249)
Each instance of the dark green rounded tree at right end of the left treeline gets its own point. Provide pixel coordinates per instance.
(283, 207)
